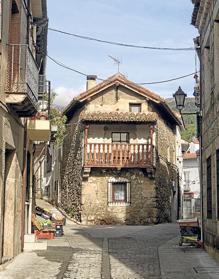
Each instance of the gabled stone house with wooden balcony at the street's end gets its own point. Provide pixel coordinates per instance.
(119, 157)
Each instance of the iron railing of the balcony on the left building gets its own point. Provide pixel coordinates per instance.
(22, 73)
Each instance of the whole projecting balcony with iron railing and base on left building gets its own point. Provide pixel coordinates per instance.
(22, 81)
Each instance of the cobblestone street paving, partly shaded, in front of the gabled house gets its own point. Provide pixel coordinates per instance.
(115, 252)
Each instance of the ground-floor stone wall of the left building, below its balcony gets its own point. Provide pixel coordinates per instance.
(12, 201)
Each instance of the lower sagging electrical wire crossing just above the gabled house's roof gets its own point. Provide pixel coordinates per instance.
(101, 79)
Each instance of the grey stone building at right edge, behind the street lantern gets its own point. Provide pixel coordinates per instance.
(205, 18)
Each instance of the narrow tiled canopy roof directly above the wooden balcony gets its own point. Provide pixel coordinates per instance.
(118, 117)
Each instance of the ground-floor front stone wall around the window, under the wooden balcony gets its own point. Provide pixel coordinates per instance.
(95, 207)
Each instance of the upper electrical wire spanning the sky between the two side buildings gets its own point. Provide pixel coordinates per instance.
(120, 43)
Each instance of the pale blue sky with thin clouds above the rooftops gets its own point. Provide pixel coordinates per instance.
(164, 23)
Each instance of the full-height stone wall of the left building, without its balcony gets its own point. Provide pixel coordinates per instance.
(11, 140)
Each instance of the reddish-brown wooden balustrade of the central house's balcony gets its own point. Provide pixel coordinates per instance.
(118, 155)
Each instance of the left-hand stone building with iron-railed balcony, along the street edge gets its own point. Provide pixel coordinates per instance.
(23, 32)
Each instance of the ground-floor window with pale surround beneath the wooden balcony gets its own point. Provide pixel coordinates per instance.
(118, 191)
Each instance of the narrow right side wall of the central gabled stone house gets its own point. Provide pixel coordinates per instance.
(166, 175)
